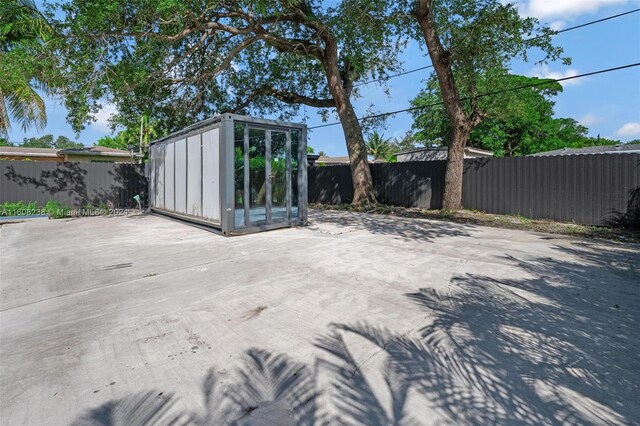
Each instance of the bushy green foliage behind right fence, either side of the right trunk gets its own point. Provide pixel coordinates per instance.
(518, 122)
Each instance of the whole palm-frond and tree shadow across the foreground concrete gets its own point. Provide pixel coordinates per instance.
(557, 346)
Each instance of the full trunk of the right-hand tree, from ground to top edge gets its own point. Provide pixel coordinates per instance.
(460, 122)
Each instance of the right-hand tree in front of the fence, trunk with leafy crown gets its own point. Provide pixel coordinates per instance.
(468, 40)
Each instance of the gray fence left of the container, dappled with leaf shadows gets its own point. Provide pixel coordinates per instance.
(74, 185)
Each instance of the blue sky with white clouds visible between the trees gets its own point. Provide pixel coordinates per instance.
(608, 104)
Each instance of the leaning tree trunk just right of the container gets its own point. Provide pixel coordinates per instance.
(363, 192)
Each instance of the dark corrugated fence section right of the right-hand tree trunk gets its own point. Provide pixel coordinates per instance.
(587, 189)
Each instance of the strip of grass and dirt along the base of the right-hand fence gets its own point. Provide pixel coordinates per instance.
(475, 217)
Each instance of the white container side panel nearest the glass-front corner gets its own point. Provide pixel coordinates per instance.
(211, 174)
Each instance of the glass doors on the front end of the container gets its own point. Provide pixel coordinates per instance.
(266, 176)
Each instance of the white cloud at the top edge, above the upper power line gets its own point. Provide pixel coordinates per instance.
(564, 8)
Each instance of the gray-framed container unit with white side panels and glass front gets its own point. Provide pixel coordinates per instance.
(235, 173)
